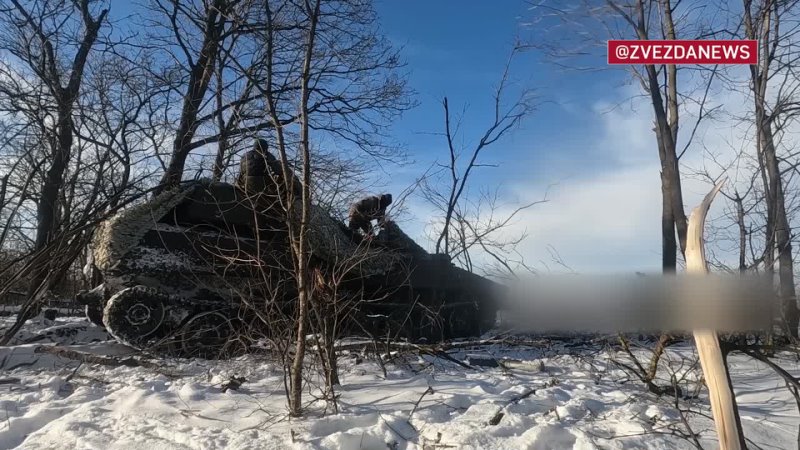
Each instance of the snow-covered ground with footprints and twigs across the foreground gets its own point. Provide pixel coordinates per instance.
(554, 394)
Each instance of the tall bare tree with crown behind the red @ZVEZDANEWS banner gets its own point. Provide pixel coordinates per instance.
(661, 85)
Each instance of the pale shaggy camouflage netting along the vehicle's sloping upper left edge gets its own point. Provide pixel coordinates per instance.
(118, 235)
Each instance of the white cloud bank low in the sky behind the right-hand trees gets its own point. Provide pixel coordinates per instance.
(608, 219)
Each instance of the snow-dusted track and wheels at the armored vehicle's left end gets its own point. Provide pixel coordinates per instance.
(151, 321)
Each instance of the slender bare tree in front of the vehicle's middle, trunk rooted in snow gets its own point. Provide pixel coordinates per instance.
(344, 90)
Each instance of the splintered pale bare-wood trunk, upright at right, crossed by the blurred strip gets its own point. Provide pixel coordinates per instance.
(715, 371)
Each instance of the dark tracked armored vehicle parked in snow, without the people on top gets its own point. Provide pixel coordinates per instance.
(205, 269)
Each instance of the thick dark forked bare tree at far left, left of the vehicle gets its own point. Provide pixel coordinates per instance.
(50, 42)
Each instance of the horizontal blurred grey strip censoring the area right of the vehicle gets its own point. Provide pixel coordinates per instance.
(682, 303)
